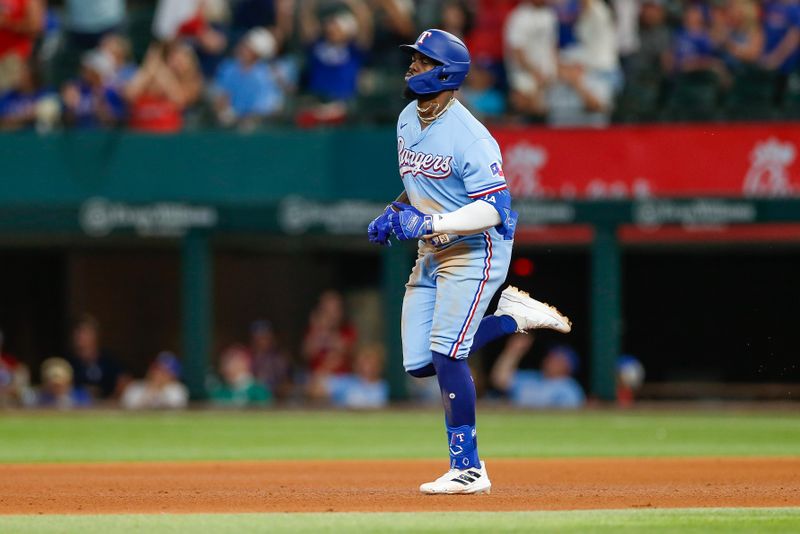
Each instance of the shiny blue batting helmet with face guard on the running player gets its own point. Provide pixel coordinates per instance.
(447, 49)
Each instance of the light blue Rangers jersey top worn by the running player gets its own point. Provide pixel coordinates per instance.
(449, 164)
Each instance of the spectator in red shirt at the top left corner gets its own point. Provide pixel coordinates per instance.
(21, 21)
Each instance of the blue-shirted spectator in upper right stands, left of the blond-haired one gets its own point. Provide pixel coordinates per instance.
(692, 48)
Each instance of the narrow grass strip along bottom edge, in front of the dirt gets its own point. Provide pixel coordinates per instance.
(700, 521)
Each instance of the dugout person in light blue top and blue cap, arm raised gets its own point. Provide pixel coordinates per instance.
(552, 387)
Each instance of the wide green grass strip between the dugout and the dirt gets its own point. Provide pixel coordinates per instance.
(117, 436)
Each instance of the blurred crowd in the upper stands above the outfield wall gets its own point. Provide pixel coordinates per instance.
(170, 65)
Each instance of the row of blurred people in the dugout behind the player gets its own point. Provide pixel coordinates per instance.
(332, 365)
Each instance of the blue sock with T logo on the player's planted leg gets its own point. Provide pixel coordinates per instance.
(458, 395)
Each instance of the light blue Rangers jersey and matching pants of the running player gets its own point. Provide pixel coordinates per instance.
(451, 163)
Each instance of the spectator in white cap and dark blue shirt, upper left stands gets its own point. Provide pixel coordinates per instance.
(92, 100)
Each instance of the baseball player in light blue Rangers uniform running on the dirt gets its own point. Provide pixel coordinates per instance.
(457, 205)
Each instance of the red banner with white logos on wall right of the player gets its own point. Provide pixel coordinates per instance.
(706, 160)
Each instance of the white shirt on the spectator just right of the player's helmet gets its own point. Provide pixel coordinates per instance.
(534, 31)
